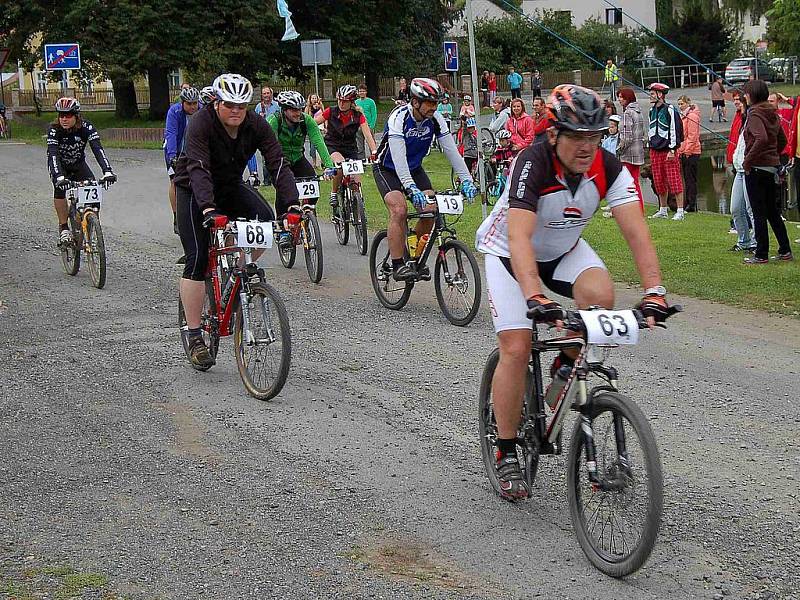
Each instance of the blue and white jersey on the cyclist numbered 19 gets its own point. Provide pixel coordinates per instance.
(418, 137)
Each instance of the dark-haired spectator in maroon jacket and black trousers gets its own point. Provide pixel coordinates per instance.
(764, 140)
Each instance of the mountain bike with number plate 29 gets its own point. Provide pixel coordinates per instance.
(306, 231)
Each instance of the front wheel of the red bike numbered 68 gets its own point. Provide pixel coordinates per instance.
(264, 349)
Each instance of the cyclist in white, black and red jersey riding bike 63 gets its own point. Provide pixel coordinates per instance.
(533, 237)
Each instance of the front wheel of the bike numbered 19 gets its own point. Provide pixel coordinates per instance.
(457, 280)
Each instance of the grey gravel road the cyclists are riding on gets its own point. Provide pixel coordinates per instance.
(363, 478)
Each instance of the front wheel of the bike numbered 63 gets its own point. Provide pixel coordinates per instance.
(617, 520)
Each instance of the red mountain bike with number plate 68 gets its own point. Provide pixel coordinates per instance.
(240, 302)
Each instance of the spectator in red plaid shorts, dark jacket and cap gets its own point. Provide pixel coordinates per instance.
(665, 135)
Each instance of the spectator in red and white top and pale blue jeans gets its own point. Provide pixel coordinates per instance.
(740, 205)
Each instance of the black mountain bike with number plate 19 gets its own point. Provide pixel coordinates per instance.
(457, 278)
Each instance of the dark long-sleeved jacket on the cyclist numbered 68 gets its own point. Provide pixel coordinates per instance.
(213, 163)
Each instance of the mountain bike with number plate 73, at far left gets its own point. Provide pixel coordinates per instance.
(85, 199)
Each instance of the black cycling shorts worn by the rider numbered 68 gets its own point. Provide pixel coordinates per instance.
(240, 202)
